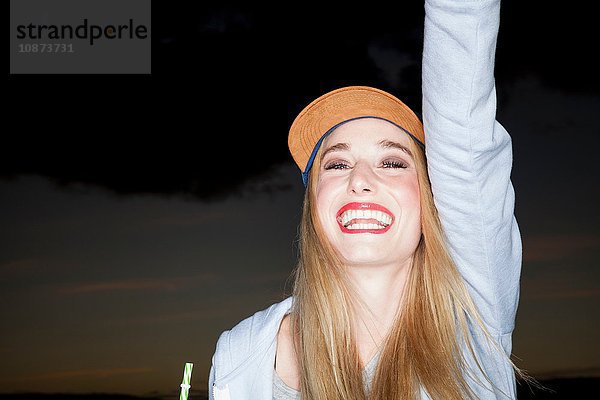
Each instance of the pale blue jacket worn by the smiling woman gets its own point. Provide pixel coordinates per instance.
(469, 157)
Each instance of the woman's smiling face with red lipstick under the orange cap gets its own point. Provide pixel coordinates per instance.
(367, 193)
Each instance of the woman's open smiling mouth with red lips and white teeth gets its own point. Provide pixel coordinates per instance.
(364, 218)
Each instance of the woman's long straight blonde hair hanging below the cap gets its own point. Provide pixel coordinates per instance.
(422, 349)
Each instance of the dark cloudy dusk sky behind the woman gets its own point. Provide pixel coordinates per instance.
(143, 215)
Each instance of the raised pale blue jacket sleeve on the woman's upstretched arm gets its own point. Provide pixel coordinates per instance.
(469, 154)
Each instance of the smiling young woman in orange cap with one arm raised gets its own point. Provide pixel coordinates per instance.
(408, 279)
